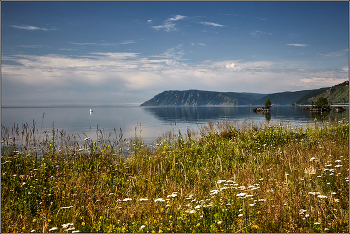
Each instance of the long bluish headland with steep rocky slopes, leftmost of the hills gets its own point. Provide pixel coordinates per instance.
(201, 98)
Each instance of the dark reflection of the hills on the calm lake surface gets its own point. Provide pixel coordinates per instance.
(202, 114)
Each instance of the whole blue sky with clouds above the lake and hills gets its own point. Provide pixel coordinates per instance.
(109, 53)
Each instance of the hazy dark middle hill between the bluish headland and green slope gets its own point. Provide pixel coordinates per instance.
(284, 98)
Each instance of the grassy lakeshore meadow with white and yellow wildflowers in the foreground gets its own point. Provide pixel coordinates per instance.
(230, 178)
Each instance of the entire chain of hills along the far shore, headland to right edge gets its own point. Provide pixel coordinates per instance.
(336, 94)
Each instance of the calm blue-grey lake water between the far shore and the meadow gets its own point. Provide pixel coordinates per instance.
(149, 122)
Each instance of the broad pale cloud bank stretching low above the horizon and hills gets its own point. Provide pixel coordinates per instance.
(65, 78)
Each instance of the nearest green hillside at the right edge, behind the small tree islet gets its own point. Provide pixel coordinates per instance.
(335, 94)
